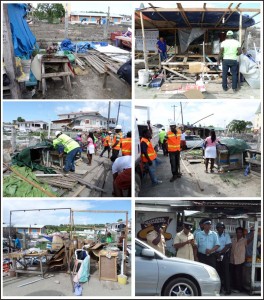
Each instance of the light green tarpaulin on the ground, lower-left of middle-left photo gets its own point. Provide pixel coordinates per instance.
(14, 186)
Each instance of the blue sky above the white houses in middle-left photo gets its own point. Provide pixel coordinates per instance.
(49, 110)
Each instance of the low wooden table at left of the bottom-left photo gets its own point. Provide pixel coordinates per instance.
(17, 256)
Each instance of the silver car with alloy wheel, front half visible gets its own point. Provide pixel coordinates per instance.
(158, 275)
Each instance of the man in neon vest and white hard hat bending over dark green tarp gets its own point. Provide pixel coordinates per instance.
(71, 148)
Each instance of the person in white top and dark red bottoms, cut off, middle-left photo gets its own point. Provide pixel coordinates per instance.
(121, 170)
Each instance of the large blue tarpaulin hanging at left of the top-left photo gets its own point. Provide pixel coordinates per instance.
(24, 40)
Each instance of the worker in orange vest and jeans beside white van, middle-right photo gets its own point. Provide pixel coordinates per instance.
(149, 156)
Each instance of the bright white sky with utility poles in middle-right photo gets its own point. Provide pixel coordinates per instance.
(223, 111)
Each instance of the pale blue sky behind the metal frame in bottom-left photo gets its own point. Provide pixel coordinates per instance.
(58, 217)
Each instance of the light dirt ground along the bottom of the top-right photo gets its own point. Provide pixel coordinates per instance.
(213, 91)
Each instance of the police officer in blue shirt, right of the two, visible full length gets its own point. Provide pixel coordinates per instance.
(223, 257)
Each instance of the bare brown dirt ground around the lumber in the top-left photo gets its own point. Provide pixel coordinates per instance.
(87, 86)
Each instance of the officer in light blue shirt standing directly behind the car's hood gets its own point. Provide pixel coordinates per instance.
(207, 243)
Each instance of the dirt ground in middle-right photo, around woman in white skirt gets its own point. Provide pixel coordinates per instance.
(200, 184)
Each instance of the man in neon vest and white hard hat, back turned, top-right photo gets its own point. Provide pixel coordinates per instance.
(229, 53)
